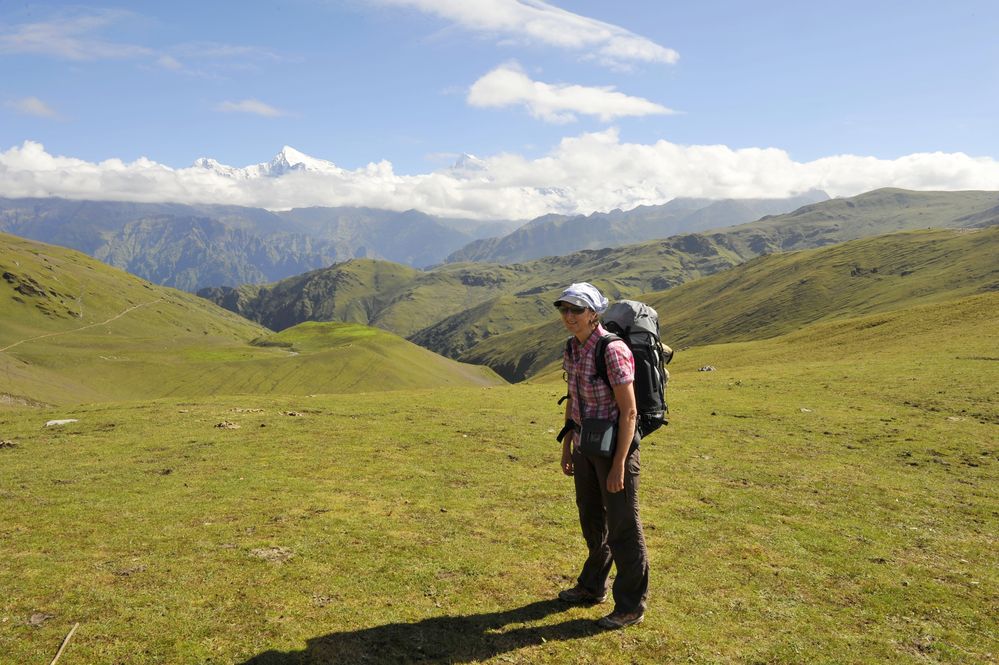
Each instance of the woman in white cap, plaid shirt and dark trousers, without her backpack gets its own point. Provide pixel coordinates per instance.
(606, 487)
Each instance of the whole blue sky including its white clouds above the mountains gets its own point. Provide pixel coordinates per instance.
(571, 106)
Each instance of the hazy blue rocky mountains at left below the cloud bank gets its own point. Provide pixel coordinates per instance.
(194, 246)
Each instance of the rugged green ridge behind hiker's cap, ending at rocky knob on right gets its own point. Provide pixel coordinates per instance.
(453, 307)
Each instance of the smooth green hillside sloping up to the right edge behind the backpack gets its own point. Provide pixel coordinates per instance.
(779, 293)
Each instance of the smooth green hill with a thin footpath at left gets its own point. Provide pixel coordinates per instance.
(75, 330)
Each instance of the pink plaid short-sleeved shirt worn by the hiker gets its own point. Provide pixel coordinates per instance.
(580, 366)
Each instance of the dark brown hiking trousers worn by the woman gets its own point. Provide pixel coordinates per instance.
(612, 529)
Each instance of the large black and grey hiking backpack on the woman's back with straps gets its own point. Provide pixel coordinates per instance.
(637, 325)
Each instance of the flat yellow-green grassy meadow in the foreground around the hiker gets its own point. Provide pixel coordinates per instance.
(827, 496)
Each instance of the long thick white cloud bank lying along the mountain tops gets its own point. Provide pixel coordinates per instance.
(582, 174)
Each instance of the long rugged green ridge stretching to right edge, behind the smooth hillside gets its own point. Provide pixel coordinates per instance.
(454, 308)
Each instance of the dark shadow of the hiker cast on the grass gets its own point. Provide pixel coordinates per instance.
(446, 639)
